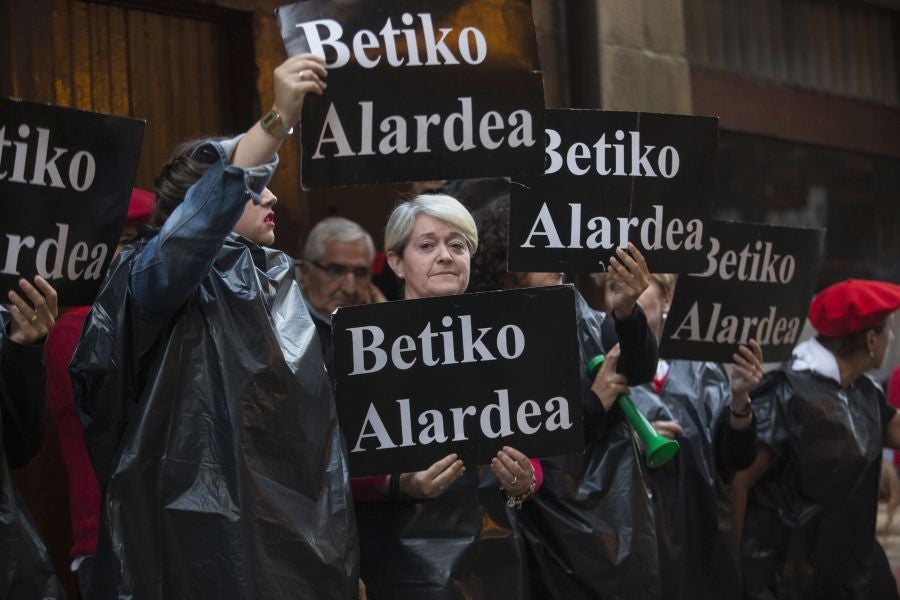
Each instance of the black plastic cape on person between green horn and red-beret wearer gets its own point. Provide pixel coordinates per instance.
(698, 545)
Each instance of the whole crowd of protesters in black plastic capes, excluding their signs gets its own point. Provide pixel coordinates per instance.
(206, 460)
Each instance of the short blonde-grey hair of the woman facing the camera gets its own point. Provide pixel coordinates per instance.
(440, 206)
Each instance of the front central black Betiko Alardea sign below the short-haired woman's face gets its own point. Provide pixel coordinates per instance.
(419, 379)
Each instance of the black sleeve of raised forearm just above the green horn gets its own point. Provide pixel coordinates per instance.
(637, 344)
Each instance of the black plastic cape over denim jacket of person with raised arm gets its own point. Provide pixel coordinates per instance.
(215, 440)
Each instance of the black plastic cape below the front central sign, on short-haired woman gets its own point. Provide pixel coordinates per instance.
(465, 544)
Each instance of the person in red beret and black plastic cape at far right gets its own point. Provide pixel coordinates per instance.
(809, 529)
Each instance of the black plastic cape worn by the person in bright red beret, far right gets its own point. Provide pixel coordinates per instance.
(809, 532)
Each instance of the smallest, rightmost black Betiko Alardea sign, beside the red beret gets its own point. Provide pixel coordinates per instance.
(757, 284)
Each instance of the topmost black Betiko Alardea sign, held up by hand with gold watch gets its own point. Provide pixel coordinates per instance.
(447, 89)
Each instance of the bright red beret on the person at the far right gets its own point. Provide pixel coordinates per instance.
(853, 305)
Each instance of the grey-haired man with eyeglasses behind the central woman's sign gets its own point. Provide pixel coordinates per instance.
(336, 270)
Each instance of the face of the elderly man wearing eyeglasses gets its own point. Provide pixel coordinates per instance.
(341, 277)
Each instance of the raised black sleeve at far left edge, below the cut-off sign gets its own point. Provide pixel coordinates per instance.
(23, 403)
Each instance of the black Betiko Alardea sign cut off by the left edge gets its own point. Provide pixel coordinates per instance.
(65, 181)
